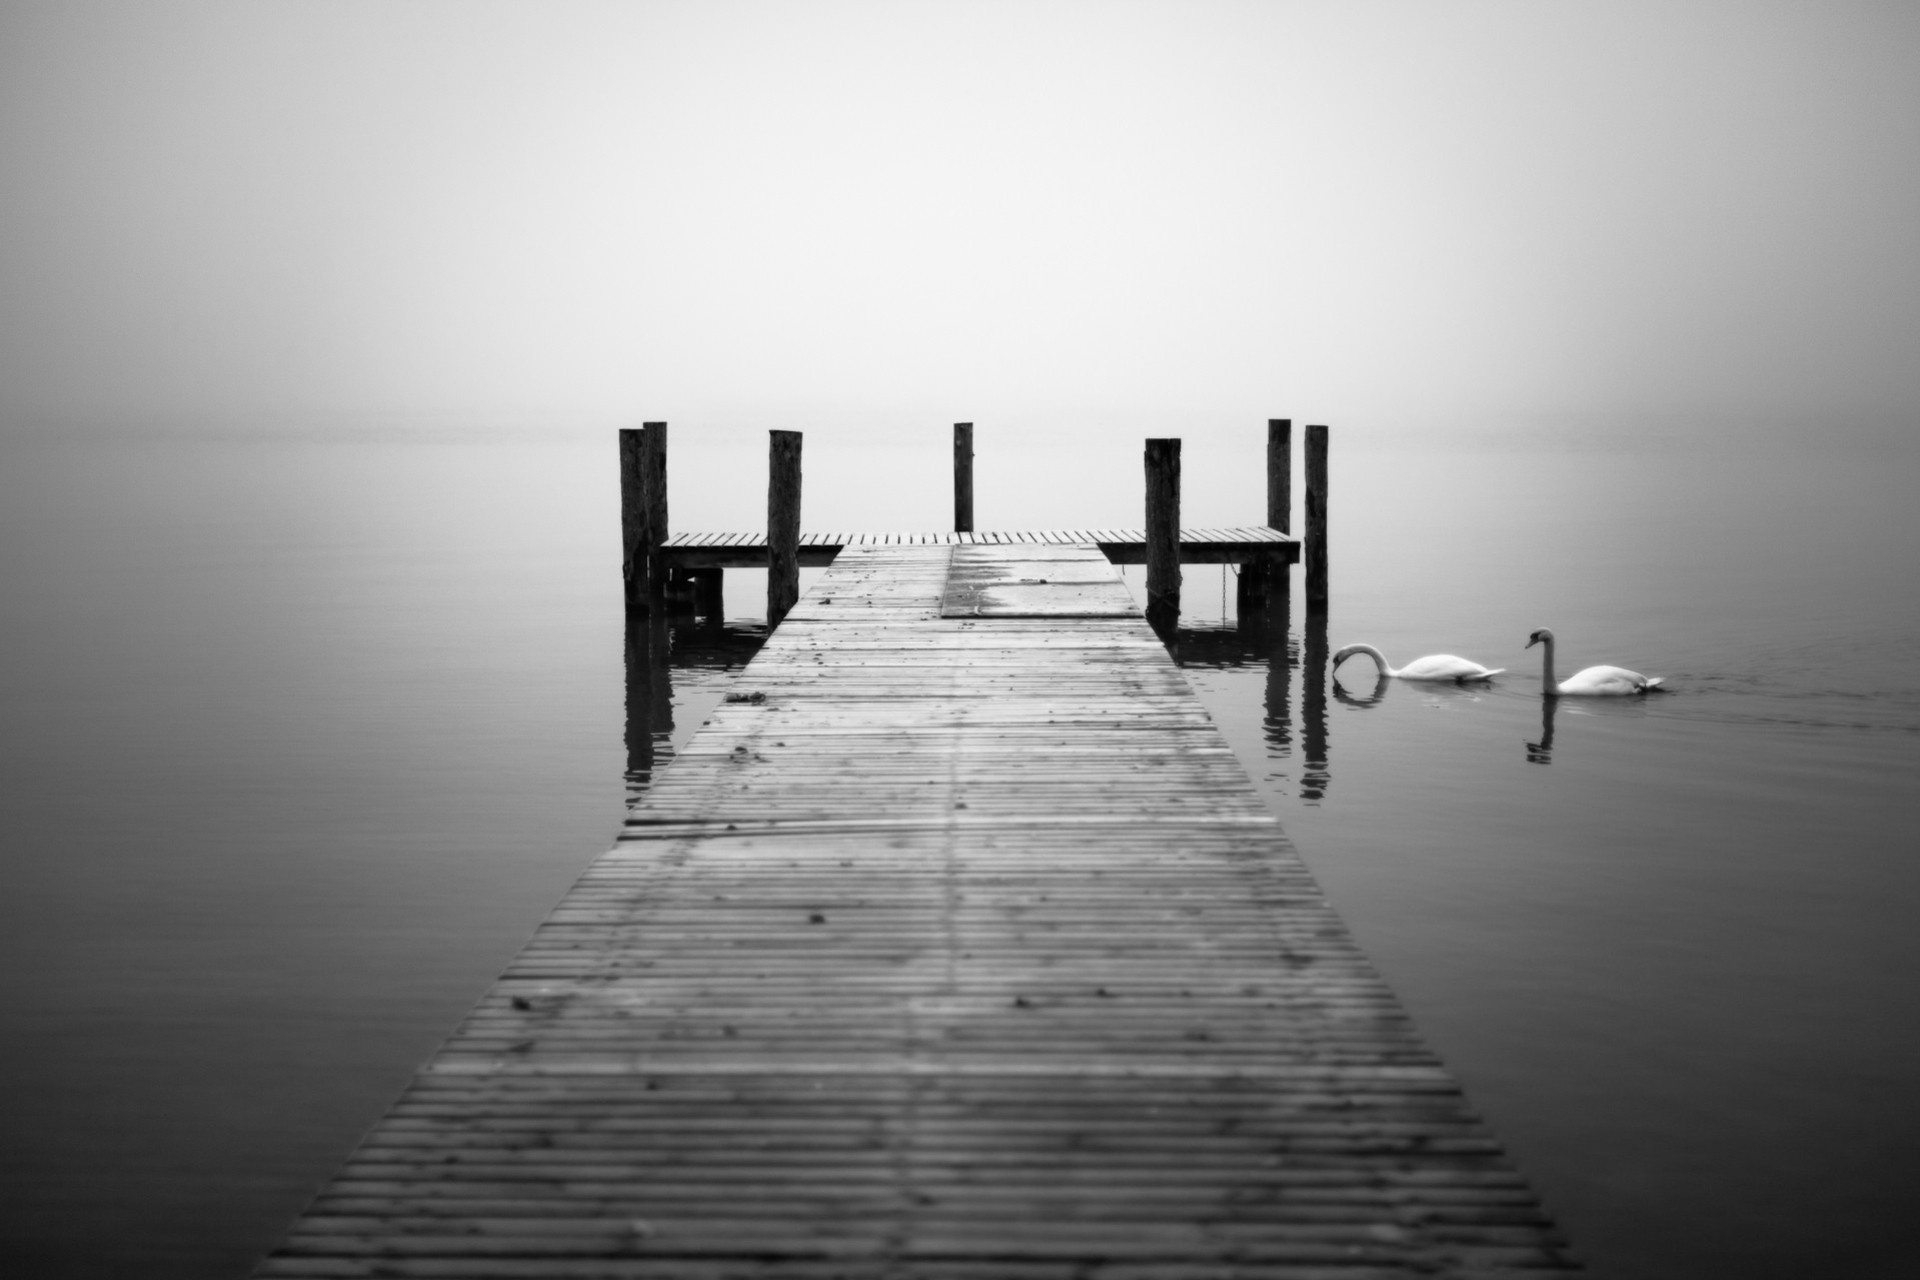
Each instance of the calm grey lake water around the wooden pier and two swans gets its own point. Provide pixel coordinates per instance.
(304, 736)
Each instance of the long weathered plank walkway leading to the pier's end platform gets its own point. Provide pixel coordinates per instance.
(957, 945)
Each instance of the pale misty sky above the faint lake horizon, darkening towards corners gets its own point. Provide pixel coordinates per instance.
(594, 214)
